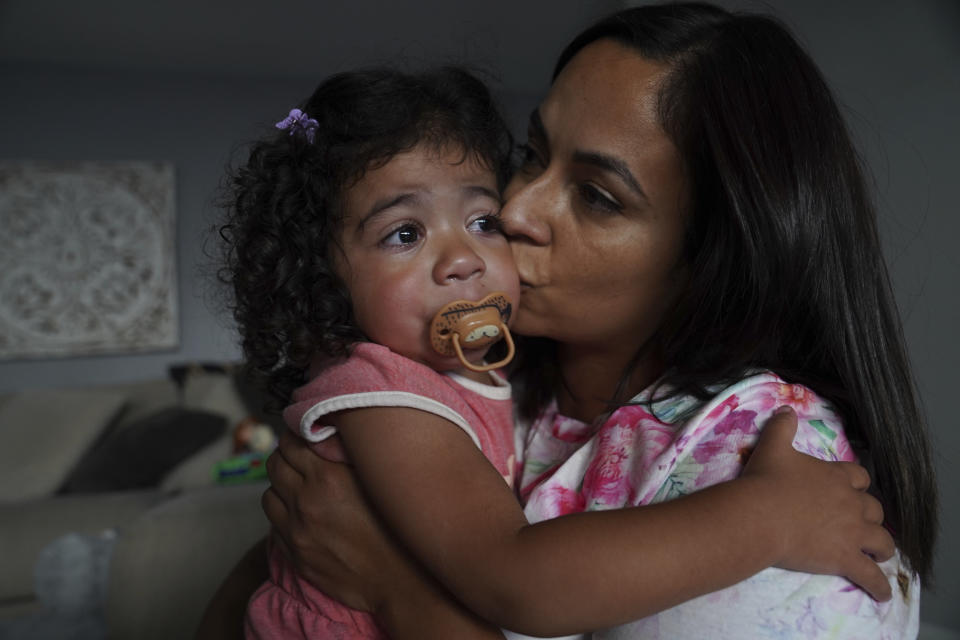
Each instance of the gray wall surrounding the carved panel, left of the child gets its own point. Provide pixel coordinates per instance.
(191, 121)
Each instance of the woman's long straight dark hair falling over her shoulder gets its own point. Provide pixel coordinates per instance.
(786, 269)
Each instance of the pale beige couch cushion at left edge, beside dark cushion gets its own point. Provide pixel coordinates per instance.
(44, 435)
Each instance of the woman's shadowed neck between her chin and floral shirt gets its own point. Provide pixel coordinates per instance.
(590, 378)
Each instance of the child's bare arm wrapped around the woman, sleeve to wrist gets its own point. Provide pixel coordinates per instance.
(452, 509)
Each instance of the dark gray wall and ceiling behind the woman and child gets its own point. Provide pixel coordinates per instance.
(186, 82)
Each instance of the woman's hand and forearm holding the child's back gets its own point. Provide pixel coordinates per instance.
(328, 530)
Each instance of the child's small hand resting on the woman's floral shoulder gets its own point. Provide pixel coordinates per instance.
(830, 524)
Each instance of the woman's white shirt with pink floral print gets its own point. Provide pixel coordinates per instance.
(654, 451)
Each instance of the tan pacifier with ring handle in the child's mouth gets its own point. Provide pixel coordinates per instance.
(465, 324)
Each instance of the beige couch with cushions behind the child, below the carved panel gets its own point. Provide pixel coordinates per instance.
(160, 550)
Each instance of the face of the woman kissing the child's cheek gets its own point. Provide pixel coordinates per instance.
(595, 215)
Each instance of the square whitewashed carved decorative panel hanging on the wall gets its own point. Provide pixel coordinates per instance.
(87, 259)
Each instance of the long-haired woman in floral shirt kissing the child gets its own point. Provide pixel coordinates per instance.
(690, 211)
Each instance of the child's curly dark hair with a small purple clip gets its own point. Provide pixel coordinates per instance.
(283, 209)
